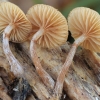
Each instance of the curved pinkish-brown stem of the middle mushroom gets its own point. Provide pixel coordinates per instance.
(46, 78)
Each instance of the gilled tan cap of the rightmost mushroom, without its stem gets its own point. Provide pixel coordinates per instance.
(86, 21)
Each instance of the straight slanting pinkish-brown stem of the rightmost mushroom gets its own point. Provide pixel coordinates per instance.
(60, 79)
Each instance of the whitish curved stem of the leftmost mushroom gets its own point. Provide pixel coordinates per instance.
(16, 68)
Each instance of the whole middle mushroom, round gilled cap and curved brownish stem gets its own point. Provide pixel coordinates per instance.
(50, 30)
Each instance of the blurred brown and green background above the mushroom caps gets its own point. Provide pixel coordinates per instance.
(65, 6)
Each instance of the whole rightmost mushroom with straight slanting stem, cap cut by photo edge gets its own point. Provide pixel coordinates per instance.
(84, 24)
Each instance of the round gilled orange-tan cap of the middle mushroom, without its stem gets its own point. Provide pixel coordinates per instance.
(52, 22)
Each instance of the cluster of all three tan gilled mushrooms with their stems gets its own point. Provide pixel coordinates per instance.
(46, 26)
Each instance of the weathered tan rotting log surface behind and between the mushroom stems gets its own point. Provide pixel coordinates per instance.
(81, 82)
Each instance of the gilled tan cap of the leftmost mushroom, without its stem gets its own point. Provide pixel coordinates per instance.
(12, 14)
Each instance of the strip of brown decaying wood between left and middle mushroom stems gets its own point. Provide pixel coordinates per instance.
(37, 86)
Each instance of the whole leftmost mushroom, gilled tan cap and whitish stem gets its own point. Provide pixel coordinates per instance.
(15, 27)
